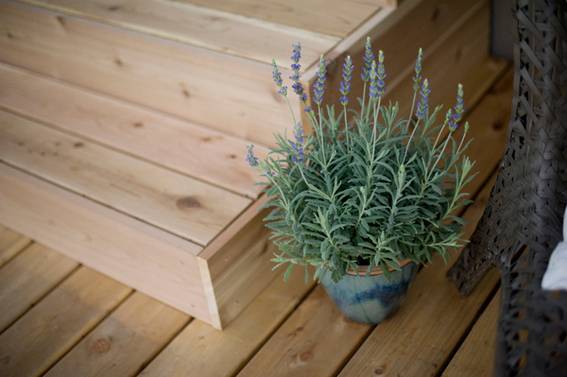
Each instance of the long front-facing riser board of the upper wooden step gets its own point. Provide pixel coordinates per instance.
(224, 92)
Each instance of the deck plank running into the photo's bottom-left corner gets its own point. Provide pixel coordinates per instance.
(52, 327)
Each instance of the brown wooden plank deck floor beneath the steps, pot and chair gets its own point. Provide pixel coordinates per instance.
(59, 318)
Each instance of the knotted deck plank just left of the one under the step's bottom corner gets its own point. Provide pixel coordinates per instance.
(121, 344)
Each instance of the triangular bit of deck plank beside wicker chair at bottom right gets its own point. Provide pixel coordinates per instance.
(475, 357)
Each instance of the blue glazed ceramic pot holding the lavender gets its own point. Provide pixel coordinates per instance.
(370, 297)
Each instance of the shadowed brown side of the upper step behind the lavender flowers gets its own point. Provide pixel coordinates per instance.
(453, 34)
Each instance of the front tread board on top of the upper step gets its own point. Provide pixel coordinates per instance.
(224, 32)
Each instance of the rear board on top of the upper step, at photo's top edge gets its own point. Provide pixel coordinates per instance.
(330, 17)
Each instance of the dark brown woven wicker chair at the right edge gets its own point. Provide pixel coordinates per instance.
(522, 223)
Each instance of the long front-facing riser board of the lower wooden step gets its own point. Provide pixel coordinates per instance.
(141, 256)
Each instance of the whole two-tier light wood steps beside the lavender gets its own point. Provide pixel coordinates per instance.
(122, 132)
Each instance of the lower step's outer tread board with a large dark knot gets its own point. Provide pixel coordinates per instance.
(175, 203)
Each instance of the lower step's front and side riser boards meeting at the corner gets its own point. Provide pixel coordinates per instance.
(213, 287)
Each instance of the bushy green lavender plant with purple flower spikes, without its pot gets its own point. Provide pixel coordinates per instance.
(369, 186)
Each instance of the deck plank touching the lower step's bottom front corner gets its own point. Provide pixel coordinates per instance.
(205, 351)
